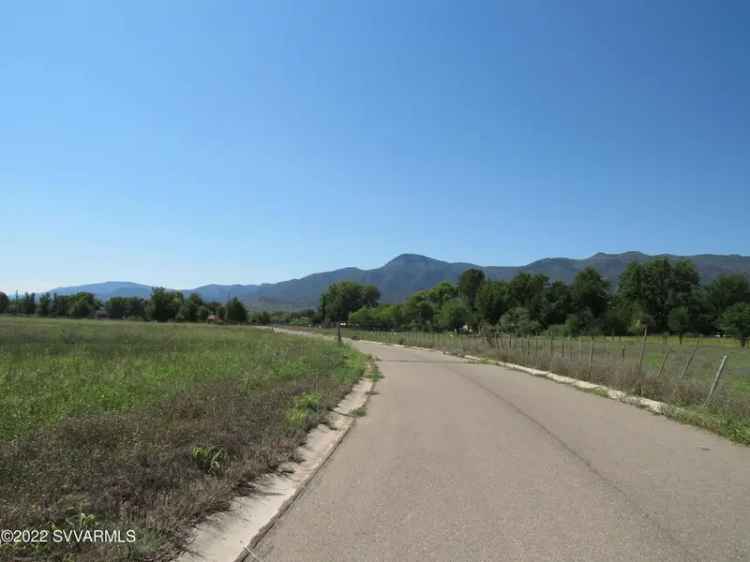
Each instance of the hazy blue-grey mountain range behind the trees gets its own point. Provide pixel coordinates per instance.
(409, 273)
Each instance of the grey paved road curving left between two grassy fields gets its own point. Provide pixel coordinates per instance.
(461, 461)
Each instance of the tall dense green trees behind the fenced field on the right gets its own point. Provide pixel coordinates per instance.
(659, 295)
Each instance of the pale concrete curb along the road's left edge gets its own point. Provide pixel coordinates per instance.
(230, 536)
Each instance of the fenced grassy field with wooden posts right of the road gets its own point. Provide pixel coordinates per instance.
(679, 374)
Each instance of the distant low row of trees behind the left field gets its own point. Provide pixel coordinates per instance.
(162, 306)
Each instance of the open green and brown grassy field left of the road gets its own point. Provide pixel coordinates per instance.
(119, 425)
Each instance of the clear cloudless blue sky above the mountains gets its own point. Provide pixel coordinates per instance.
(182, 143)
